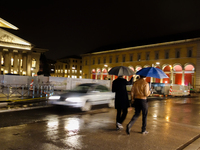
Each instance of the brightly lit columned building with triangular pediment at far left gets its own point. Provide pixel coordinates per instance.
(17, 55)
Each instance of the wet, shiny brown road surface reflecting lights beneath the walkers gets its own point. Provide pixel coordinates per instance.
(172, 123)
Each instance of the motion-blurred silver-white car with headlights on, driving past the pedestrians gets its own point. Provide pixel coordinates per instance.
(84, 96)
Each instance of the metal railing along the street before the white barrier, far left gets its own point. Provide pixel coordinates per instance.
(30, 91)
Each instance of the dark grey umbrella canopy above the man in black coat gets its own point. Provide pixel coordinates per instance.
(121, 71)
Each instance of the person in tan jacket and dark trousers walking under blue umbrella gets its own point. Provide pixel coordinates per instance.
(139, 93)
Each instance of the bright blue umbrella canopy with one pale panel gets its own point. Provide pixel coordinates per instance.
(152, 72)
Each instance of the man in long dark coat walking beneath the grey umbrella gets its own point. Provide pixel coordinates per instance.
(121, 99)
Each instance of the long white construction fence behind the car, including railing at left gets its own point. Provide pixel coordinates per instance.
(12, 86)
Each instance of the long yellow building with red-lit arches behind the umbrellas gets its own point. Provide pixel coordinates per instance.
(180, 60)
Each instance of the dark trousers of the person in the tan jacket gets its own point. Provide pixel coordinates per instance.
(140, 105)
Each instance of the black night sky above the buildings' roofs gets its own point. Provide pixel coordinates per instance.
(75, 27)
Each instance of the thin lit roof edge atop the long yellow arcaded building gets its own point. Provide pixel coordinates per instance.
(146, 46)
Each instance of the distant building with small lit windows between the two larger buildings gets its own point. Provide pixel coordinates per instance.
(70, 67)
